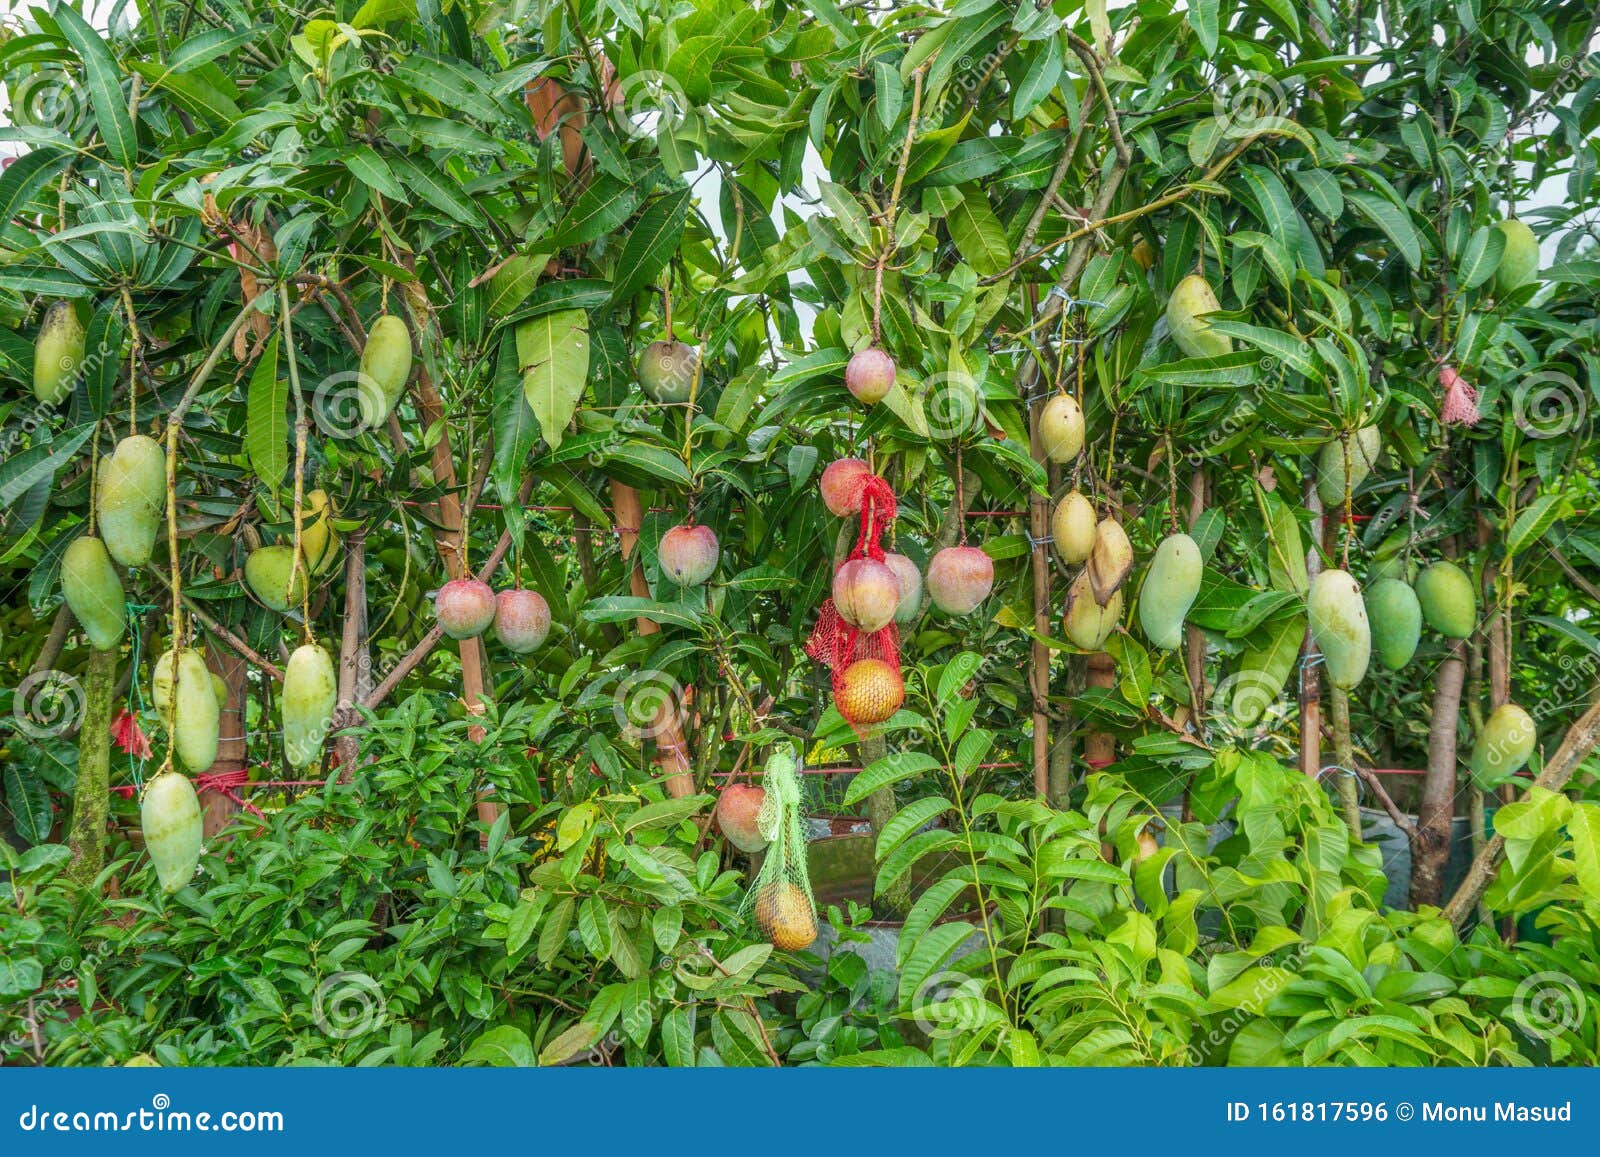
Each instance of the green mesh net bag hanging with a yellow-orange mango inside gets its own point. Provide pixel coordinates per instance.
(782, 894)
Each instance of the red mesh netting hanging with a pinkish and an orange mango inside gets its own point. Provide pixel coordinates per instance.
(860, 641)
